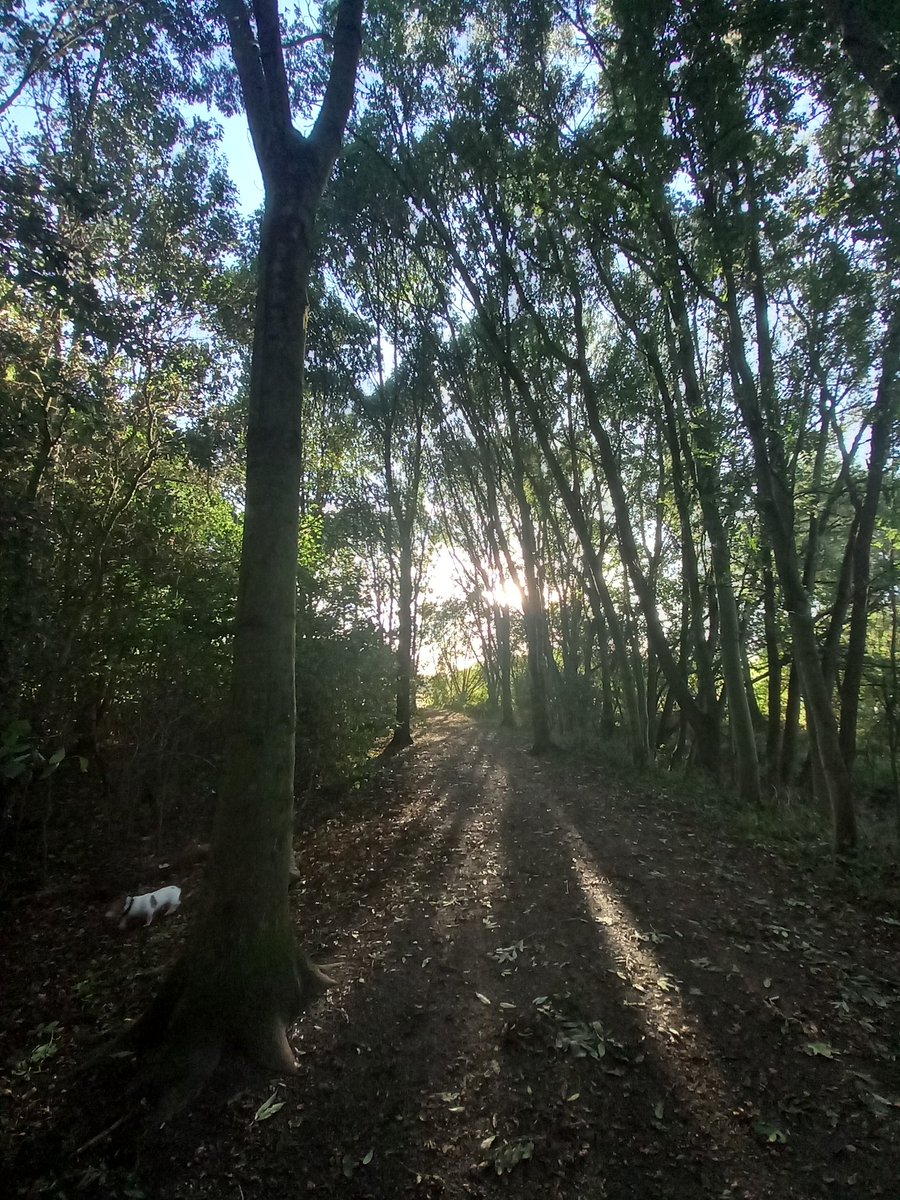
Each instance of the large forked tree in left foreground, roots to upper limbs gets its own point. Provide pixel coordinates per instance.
(242, 980)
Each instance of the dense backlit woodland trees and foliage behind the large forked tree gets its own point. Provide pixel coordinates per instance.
(607, 303)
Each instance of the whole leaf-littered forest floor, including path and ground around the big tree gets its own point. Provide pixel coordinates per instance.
(548, 986)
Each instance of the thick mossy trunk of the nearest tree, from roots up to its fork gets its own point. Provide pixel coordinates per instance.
(242, 981)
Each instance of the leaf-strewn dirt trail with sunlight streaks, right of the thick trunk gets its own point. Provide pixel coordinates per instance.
(711, 1027)
